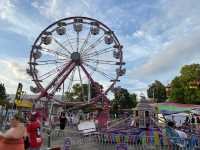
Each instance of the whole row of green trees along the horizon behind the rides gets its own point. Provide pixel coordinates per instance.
(184, 88)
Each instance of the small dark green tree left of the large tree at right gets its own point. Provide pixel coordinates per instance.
(157, 91)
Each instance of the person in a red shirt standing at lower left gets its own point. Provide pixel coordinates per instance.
(34, 133)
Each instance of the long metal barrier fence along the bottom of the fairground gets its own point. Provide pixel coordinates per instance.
(107, 141)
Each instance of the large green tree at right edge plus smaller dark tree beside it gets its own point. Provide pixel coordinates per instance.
(184, 88)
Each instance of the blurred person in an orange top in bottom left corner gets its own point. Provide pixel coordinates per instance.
(12, 139)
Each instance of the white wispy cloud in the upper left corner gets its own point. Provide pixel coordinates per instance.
(16, 21)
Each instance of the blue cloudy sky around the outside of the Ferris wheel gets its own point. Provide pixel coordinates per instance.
(159, 36)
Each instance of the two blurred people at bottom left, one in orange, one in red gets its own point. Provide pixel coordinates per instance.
(22, 135)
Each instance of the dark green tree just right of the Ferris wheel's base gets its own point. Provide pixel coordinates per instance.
(123, 100)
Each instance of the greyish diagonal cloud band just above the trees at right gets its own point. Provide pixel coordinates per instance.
(171, 58)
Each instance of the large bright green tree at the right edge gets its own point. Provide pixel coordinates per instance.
(185, 88)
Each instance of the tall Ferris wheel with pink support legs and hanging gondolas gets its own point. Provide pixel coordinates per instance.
(76, 50)
